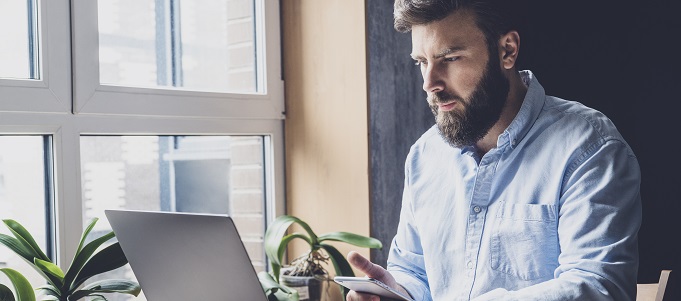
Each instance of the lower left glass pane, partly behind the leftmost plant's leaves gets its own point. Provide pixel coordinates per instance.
(22, 197)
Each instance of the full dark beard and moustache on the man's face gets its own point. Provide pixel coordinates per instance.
(480, 111)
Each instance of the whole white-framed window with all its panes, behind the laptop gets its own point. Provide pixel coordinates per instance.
(155, 104)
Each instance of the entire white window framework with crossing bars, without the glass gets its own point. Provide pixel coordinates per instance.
(44, 107)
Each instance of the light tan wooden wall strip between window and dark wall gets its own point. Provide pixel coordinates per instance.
(326, 112)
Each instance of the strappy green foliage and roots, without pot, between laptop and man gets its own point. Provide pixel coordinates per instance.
(312, 262)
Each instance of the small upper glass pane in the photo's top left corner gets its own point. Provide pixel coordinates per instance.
(17, 35)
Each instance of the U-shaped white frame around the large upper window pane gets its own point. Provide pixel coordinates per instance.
(92, 97)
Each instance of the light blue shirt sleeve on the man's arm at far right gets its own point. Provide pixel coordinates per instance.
(599, 219)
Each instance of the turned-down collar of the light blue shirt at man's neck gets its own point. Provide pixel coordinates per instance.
(528, 113)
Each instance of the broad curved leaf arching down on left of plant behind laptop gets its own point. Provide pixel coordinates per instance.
(273, 239)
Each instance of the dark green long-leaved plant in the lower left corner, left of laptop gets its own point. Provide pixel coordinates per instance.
(87, 262)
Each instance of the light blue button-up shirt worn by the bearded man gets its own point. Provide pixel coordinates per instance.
(551, 213)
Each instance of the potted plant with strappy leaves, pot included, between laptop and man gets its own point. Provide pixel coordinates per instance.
(306, 273)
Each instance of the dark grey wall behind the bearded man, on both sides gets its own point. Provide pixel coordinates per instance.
(619, 57)
